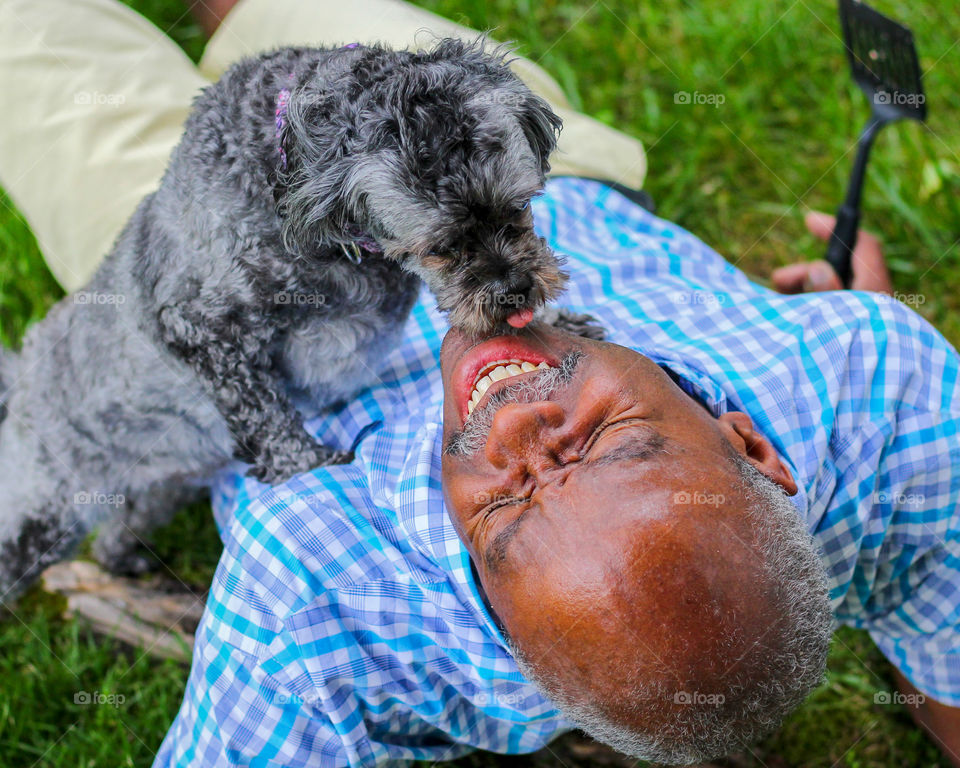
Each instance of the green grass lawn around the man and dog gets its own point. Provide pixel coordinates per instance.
(738, 175)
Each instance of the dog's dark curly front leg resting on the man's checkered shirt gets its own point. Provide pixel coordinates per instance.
(238, 373)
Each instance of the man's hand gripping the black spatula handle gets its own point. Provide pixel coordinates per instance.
(869, 269)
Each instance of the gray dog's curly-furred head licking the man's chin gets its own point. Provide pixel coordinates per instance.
(434, 156)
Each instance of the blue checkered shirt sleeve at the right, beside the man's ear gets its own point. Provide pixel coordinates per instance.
(894, 515)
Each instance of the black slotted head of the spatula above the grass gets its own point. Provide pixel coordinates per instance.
(884, 61)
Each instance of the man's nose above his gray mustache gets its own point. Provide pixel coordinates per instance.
(526, 433)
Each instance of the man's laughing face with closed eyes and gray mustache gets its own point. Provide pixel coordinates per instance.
(603, 477)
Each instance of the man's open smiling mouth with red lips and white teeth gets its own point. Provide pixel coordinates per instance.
(487, 367)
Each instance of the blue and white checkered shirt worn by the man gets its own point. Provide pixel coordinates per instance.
(344, 627)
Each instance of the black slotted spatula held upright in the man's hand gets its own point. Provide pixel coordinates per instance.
(884, 61)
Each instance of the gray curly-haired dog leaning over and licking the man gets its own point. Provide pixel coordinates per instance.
(275, 265)
